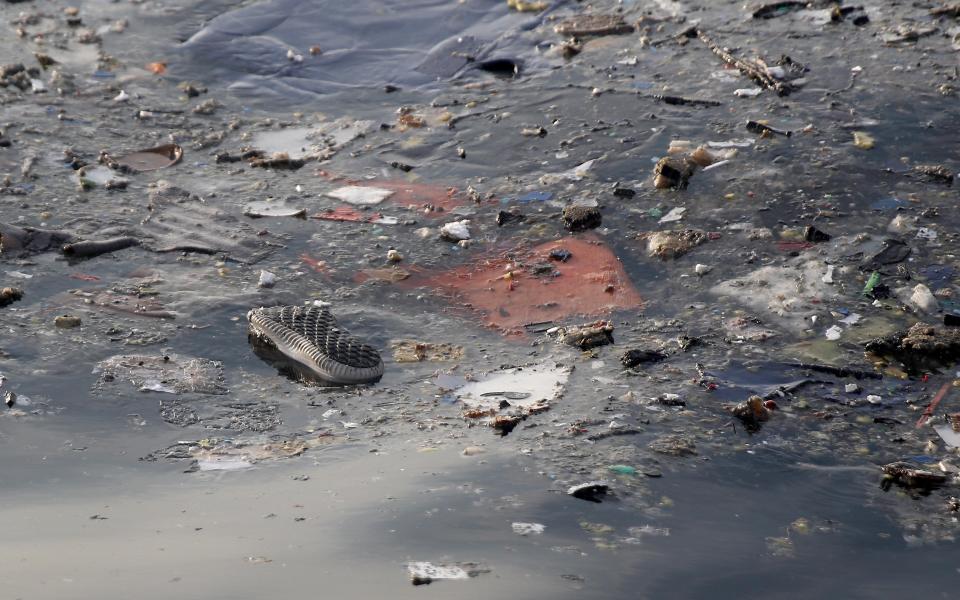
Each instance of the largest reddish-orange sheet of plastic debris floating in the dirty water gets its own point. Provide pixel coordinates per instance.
(528, 285)
